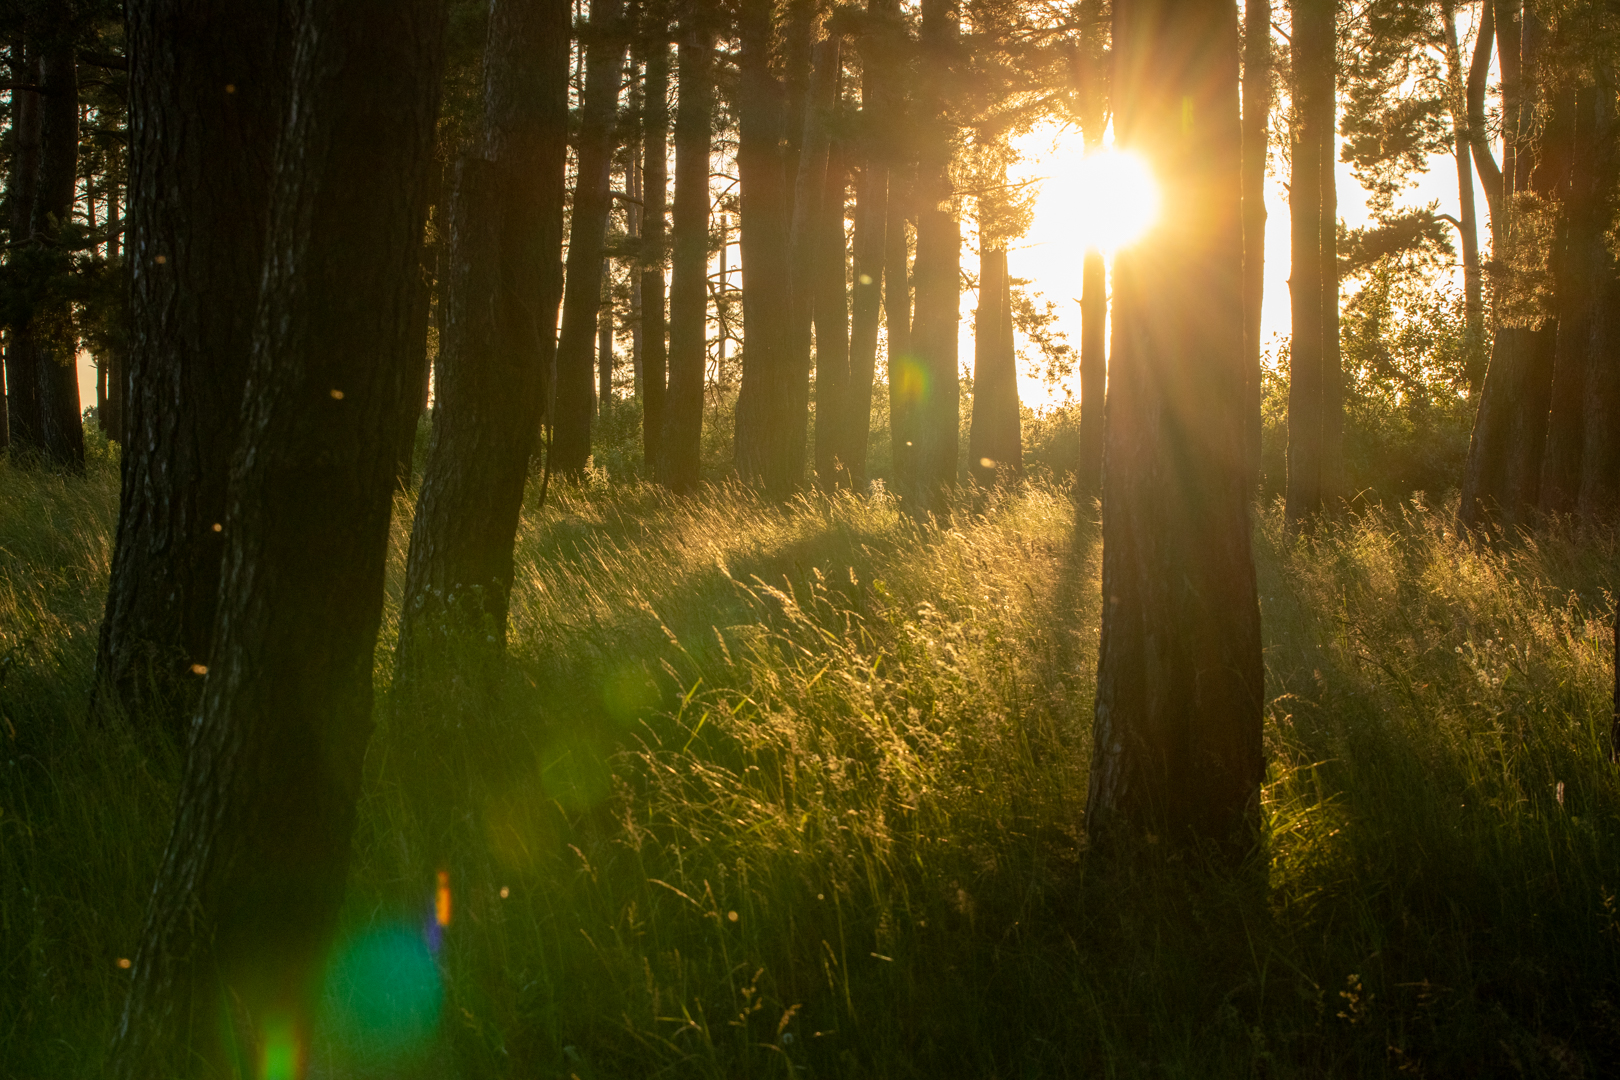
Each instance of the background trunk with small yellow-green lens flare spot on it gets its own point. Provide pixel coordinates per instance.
(939, 270)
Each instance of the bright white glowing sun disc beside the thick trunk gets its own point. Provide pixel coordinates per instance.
(1106, 200)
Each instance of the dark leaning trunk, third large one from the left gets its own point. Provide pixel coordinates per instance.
(505, 283)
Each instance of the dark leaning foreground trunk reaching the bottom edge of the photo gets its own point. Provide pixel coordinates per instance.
(249, 895)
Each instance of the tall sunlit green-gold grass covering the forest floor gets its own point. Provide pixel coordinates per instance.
(801, 793)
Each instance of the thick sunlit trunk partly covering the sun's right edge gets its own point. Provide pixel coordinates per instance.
(1179, 741)
